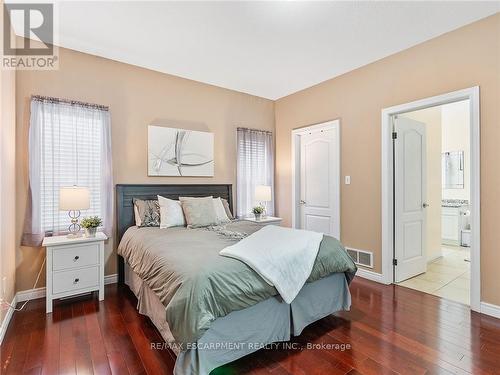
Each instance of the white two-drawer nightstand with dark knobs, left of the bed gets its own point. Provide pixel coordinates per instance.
(74, 266)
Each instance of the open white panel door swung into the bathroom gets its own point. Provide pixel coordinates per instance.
(410, 198)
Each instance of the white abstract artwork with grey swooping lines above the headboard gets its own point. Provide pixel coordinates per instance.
(180, 152)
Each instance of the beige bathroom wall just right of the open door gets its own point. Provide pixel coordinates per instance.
(431, 117)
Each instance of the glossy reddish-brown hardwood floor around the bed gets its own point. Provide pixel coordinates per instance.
(390, 330)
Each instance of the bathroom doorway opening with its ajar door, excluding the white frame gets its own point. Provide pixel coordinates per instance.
(443, 133)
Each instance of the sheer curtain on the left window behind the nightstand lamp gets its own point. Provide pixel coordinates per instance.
(69, 144)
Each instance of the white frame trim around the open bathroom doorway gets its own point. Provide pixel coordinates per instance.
(472, 94)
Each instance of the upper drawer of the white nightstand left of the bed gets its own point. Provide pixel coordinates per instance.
(75, 256)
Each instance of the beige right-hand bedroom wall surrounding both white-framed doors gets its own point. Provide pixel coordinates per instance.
(463, 58)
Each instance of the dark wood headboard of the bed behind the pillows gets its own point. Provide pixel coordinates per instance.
(126, 193)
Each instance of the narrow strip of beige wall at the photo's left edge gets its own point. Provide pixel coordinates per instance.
(7, 182)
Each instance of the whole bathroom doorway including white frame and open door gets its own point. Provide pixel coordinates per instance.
(407, 231)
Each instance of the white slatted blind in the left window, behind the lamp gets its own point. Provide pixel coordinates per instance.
(71, 155)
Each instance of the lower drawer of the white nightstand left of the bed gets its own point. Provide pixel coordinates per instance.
(66, 281)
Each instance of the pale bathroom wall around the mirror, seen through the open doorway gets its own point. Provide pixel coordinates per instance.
(456, 137)
